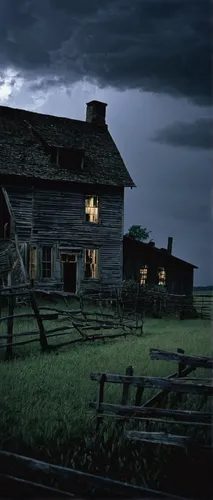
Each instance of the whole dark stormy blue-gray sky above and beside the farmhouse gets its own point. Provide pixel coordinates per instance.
(150, 60)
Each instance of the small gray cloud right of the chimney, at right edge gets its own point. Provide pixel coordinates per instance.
(197, 134)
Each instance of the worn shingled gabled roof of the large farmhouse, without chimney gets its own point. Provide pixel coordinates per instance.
(26, 139)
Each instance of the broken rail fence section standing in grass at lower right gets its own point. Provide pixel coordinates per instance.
(177, 383)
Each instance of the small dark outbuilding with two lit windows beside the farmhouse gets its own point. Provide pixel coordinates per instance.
(149, 265)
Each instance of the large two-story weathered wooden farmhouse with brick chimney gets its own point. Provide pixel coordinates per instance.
(61, 199)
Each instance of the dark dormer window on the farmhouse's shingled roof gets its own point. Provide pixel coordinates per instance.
(68, 158)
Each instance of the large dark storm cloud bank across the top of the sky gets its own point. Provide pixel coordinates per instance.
(156, 45)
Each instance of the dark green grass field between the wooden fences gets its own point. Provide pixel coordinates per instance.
(44, 397)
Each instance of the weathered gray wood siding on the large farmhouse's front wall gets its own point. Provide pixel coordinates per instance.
(57, 218)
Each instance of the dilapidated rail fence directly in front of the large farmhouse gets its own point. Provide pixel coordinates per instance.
(81, 321)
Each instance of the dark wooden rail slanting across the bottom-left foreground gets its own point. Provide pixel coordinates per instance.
(29, 477)
